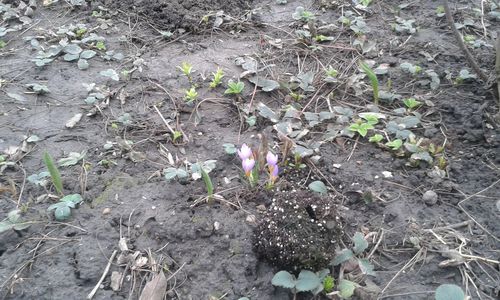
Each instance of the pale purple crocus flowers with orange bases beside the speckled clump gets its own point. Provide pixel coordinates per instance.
(248, 162)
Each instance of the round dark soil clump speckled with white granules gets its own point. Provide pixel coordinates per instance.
(300, 229)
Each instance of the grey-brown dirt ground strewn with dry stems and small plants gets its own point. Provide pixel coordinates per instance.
(426, 223)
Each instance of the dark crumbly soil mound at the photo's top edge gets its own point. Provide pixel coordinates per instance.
(187, 14)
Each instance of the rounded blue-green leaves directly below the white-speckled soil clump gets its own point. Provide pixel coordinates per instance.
(307, 281)
